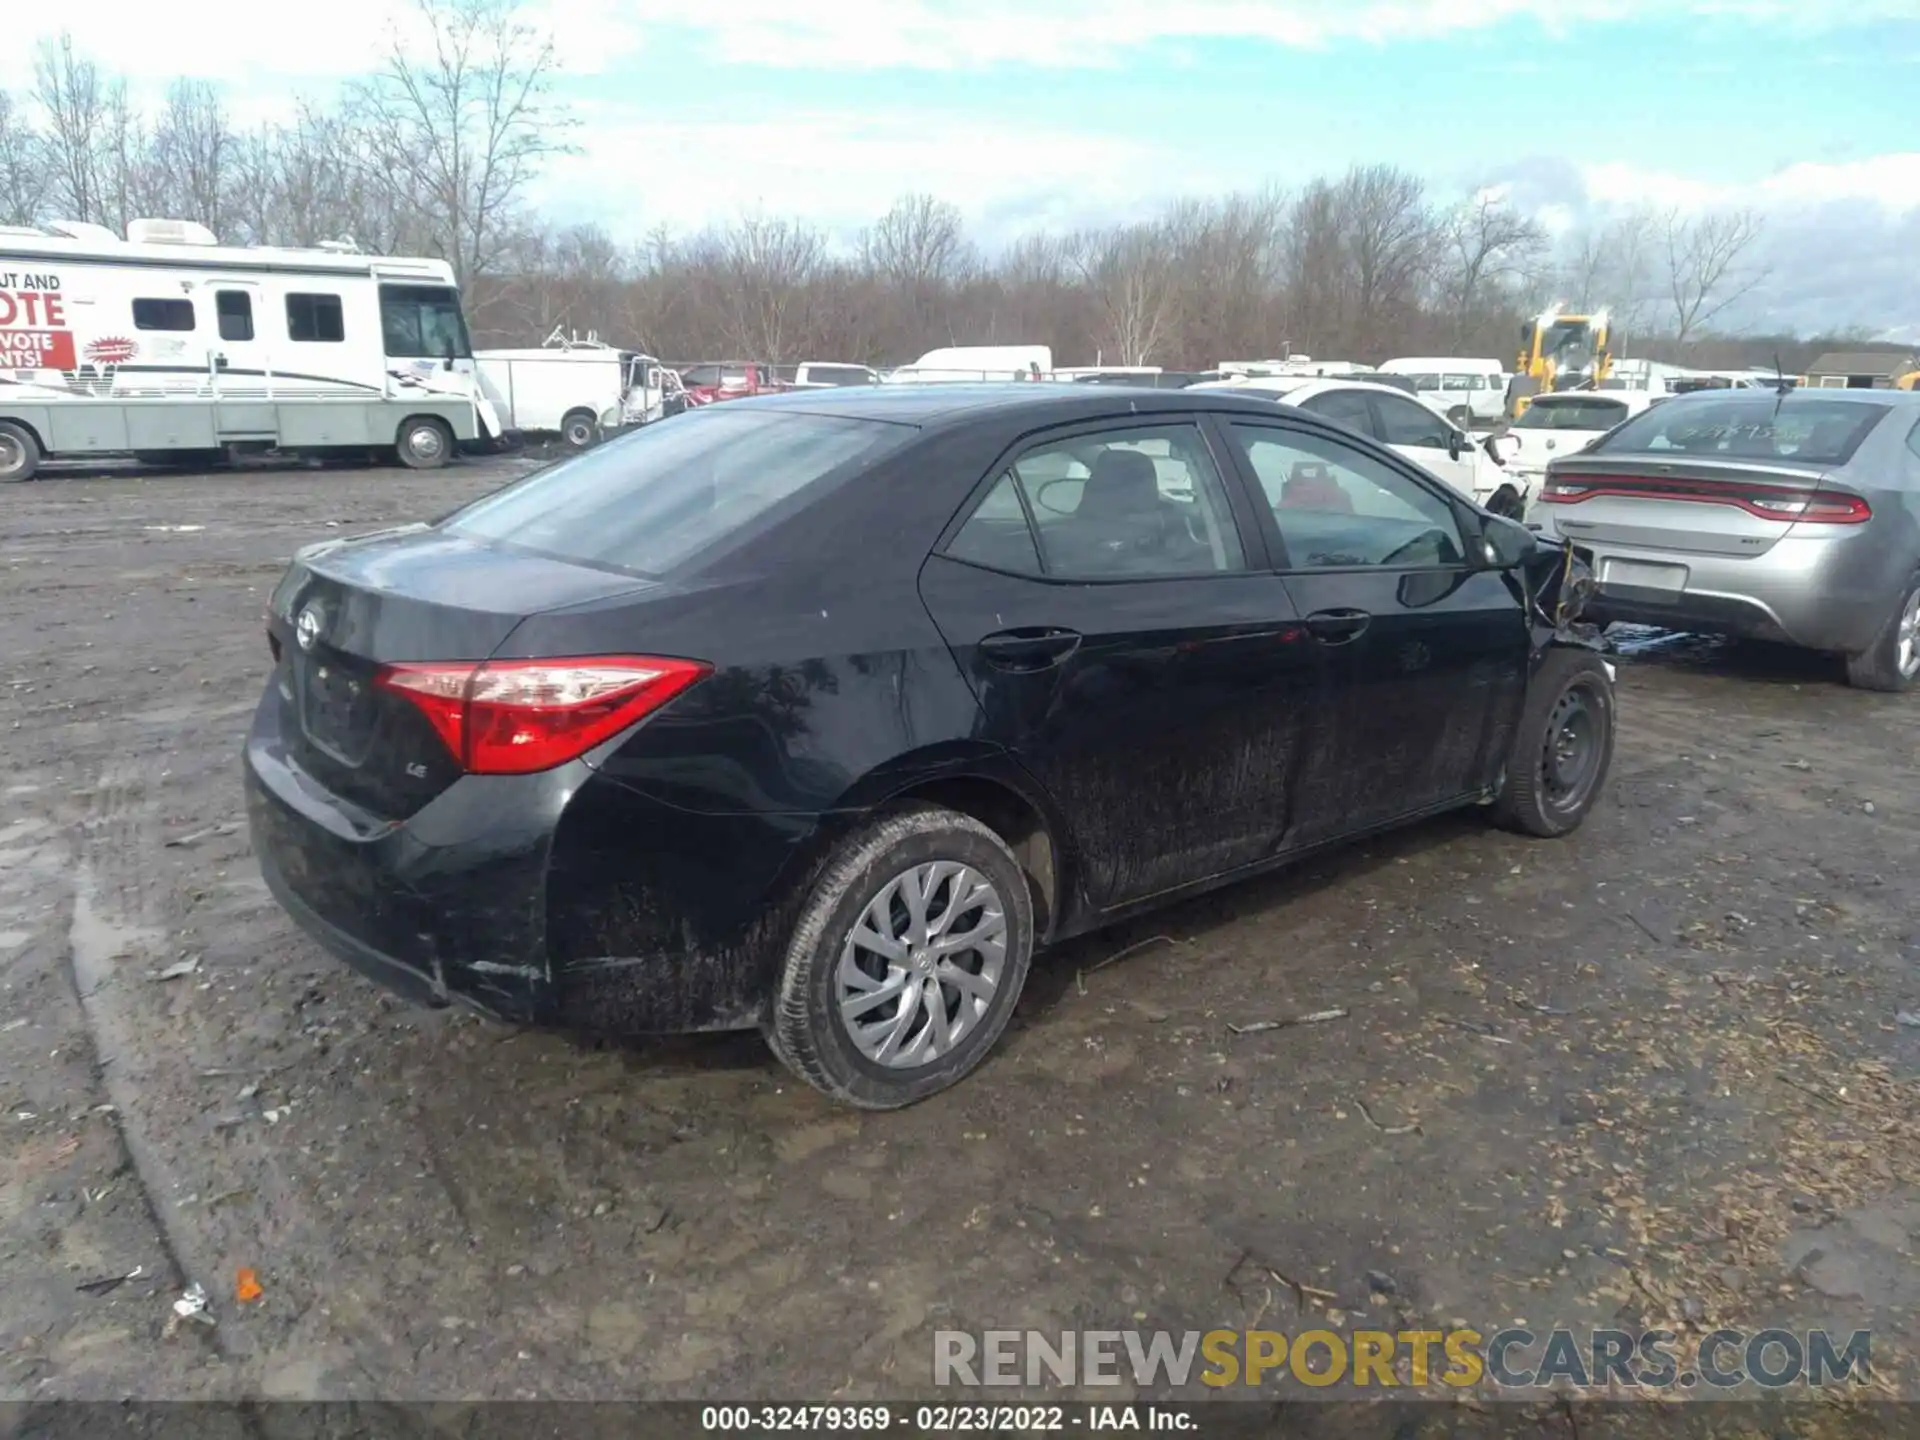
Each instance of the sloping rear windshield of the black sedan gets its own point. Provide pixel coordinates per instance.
(660, 496)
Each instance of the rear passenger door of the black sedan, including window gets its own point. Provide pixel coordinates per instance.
(1132, 650)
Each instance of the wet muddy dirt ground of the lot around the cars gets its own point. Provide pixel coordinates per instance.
(1646, 1074)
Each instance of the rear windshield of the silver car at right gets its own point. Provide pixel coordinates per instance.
(1750, 427)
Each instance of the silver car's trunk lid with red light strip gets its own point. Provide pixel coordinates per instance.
(1689, 508)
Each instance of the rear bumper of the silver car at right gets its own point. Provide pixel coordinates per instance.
(1808, 590)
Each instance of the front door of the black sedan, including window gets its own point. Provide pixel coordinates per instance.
(1424, 658)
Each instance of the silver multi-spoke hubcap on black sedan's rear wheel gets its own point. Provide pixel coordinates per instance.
(923, 965)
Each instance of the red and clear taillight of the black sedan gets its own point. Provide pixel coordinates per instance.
(517, 717)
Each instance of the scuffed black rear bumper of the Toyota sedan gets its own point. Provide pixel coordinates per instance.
(560, 900)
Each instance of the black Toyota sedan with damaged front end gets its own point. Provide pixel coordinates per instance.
(821, 713)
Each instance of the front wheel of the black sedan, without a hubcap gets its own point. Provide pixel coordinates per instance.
(1562, 748)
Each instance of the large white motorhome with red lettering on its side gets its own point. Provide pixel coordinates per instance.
(172, 347)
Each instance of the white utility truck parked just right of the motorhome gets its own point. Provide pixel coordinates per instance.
(579, 391)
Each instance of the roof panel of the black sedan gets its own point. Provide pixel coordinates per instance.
(1042, 400)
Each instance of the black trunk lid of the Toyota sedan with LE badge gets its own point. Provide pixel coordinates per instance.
(347, 610)
